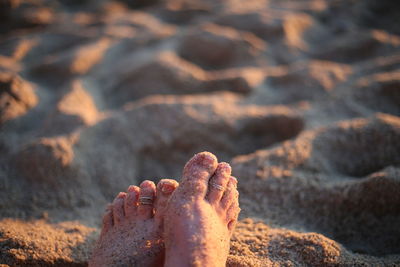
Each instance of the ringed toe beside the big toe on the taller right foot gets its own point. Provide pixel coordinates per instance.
(218, 182)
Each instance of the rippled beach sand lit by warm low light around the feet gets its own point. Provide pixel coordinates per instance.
(301, 97)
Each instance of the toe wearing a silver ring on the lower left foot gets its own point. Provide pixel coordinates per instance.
(146, 199)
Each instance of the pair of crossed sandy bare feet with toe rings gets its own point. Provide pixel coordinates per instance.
(170, 225)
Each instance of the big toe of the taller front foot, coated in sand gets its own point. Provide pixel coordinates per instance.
(196, 174)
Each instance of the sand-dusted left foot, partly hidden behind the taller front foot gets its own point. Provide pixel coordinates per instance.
(132, 228)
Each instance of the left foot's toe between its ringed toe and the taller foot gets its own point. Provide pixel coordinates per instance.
(164, 190)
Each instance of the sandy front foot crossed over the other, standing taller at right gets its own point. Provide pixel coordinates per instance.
(201, 214)
